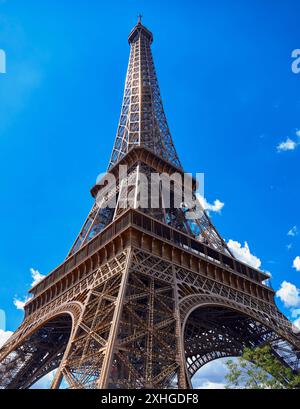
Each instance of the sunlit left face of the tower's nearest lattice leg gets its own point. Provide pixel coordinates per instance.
(87, 360)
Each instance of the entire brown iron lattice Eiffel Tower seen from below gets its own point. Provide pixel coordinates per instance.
(146, 295)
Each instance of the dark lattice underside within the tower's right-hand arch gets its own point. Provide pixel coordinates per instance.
(215, 331)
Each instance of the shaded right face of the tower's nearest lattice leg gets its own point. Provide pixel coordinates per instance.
(146, 354)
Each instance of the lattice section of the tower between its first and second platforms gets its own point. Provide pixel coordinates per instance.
(130, 192)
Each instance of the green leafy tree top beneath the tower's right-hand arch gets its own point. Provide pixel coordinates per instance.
(258, 368)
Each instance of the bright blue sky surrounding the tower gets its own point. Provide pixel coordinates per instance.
(230, 97)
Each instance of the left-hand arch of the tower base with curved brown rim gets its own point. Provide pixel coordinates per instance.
(38, 349)
